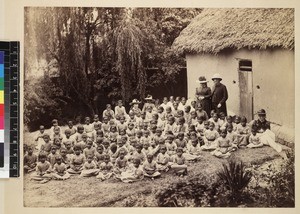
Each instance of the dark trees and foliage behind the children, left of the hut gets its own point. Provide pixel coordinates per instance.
(79, 59)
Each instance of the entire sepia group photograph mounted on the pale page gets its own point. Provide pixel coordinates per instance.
(159, 107)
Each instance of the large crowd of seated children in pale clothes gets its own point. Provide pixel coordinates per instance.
(139, 144)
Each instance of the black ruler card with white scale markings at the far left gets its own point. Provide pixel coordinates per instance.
(9, 97)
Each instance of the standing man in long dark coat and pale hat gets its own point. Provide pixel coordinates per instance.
(219, 95)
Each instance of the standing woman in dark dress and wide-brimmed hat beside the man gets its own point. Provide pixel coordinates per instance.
(203, 94)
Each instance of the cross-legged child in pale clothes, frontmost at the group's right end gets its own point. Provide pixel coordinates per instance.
(224, 147)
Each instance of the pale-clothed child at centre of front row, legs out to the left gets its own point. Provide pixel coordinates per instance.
(133, 173)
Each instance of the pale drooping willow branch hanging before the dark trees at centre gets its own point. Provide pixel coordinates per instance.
(129, 39)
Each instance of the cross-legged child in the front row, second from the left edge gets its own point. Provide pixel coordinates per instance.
(43, 169)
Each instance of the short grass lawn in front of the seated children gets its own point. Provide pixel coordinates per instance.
(90, 192)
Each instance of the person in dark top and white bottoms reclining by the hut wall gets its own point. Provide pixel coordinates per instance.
(266, 136)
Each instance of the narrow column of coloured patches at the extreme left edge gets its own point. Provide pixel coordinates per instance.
(1, 108)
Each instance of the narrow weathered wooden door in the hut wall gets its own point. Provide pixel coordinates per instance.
(246, 89)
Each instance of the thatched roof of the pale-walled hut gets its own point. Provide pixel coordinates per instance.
(217, 29)
